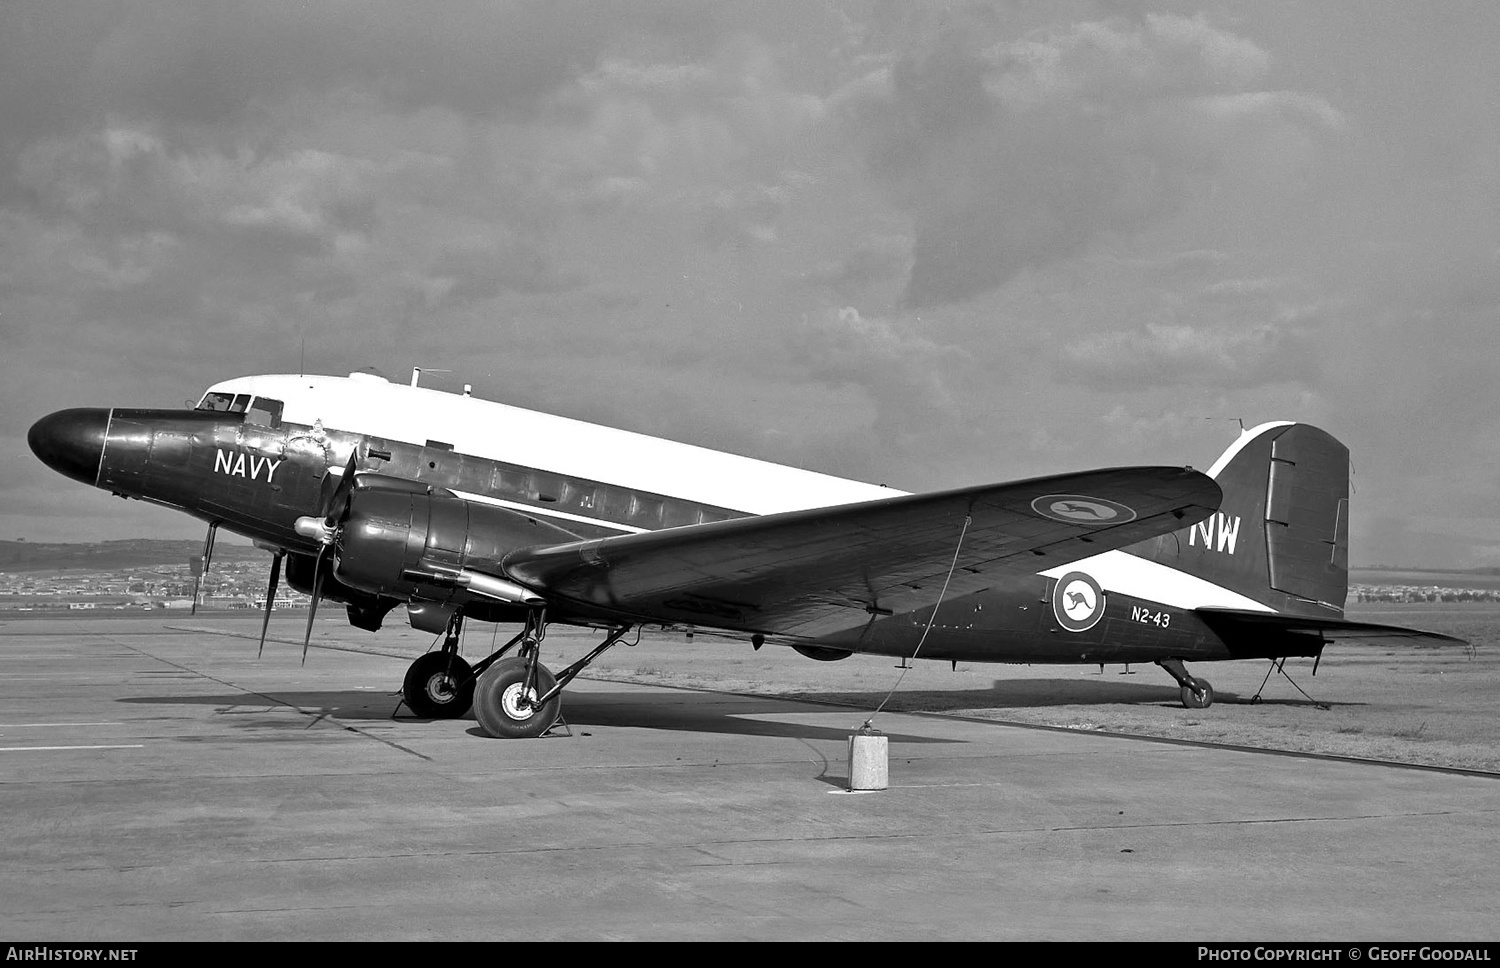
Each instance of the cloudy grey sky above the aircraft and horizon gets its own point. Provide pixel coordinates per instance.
(917, 244)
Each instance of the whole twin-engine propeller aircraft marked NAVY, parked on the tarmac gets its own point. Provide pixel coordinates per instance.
(380, 495)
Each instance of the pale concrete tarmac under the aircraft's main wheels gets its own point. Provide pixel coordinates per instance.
(161, 784)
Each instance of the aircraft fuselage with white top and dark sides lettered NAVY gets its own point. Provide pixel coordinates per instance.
(259, 475)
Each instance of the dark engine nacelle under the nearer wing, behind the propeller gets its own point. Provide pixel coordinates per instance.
(425, 544)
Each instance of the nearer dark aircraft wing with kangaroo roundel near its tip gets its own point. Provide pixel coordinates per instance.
(811, 574)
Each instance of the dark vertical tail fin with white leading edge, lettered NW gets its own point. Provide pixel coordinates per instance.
(1282, 535)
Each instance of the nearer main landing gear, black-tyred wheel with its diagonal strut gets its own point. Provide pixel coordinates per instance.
(518, 697)
